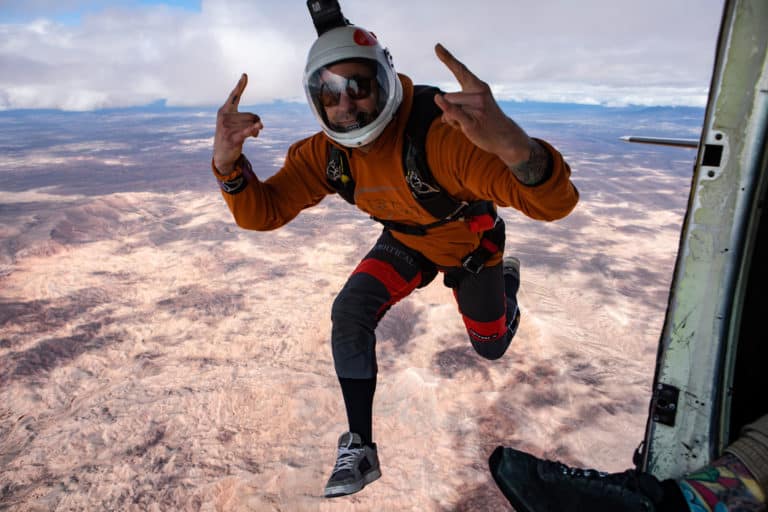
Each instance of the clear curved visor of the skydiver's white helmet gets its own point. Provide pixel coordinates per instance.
(350, 94)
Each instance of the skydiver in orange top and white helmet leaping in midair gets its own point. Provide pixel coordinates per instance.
(476, 154)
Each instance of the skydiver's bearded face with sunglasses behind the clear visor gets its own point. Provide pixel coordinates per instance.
(350, 94)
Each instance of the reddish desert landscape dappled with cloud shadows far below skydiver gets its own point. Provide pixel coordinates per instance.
(154, 356)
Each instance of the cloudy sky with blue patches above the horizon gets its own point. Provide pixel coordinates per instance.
(90, 54)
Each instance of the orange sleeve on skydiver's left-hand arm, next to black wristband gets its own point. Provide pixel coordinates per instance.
(270, 204)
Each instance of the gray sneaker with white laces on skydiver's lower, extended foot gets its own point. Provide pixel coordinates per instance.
(356, 466)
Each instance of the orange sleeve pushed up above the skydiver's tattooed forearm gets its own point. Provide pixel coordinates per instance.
(479, 175)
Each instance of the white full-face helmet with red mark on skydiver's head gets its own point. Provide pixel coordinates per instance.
(356, 44)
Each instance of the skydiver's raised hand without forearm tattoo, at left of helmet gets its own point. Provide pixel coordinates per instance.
(232, 128)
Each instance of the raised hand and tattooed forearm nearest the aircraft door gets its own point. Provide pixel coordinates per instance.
(475, 112)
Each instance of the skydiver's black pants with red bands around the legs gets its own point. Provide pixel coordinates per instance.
(389, 273)
